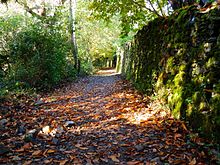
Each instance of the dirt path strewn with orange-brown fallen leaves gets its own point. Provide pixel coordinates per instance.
(100, 119)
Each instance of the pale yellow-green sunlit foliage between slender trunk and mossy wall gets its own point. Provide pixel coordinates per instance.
(97, 40)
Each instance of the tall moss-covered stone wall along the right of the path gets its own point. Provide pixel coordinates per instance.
(178, 58)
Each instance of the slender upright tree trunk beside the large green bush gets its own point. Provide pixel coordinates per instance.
(72, 10)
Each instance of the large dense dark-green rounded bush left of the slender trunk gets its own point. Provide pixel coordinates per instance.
(38, 55)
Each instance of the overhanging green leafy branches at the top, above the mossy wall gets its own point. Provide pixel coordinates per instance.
(133, 13)
